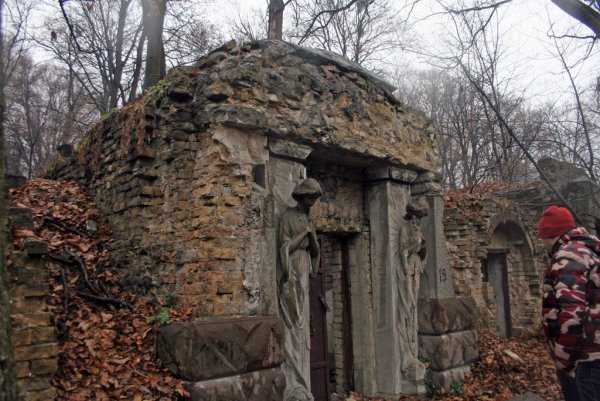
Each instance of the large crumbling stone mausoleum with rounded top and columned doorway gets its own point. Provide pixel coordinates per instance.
(194, 177)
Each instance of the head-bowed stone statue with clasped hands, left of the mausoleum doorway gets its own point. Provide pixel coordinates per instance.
(299, 257)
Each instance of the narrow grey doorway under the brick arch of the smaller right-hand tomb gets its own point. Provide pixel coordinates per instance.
(496, 272)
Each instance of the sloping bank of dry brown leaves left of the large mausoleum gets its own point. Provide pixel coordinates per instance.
(106, 343)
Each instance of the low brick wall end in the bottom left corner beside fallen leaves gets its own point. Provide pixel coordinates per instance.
(34, 341)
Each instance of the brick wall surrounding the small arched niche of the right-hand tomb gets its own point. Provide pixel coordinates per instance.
(484, 222)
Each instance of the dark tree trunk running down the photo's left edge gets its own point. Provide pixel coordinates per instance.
(8, 391)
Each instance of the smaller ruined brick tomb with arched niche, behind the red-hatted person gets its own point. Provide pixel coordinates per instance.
(495, 255)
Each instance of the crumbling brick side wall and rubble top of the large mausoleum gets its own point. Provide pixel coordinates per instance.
(181, 175)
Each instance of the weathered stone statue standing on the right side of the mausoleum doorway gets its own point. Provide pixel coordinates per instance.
(412, 264)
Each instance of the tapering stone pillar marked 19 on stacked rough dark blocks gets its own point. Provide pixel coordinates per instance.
(446, 323)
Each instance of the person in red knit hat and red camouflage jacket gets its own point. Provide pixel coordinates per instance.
(571, 303)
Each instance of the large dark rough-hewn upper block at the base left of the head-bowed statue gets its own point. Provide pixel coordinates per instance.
(201, 350)
